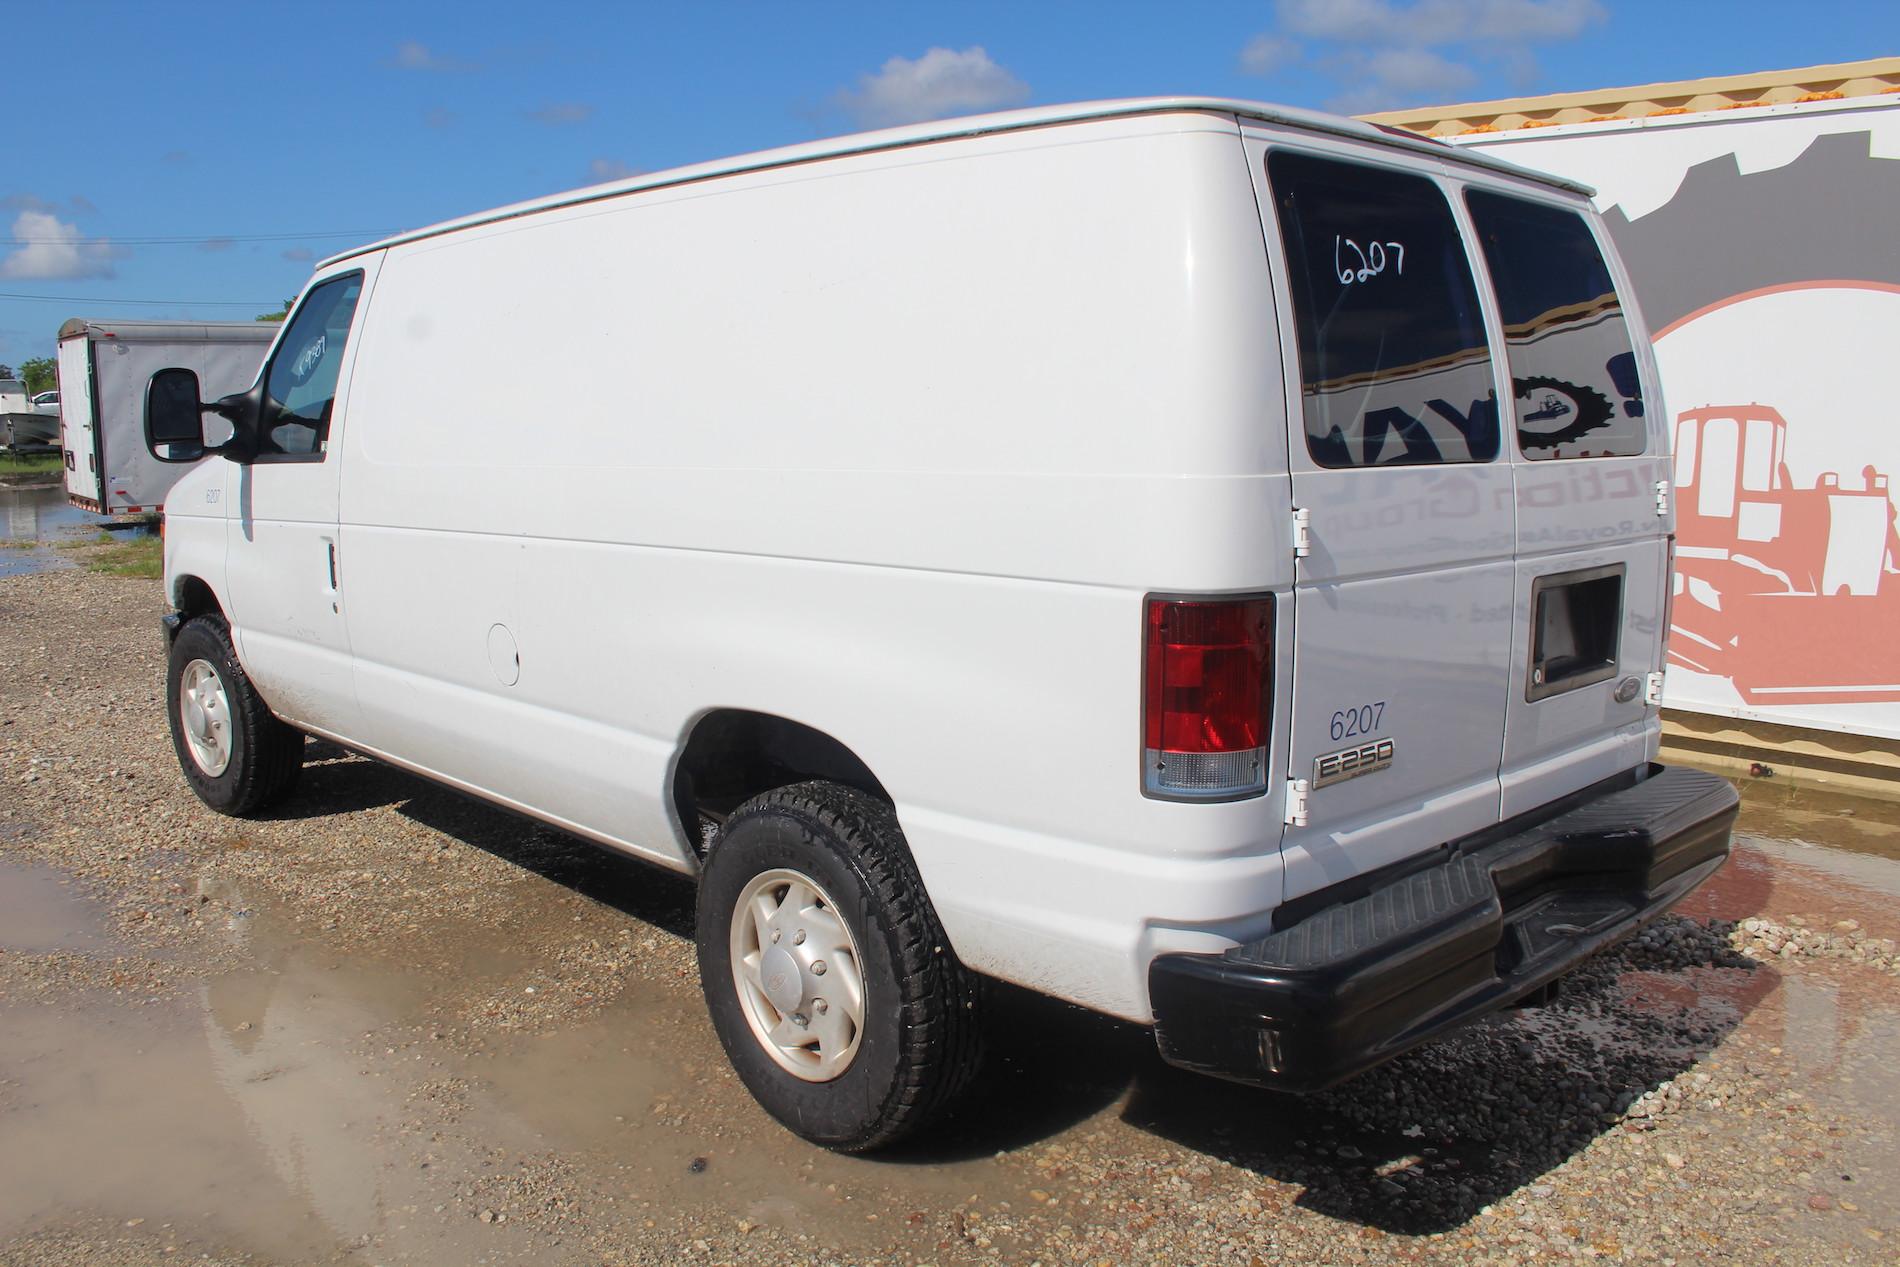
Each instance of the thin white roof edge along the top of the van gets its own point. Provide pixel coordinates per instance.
(976, 126)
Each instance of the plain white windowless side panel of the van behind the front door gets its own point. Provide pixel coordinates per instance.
(888, 445)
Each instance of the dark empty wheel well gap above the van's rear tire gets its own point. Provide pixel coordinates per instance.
(734, 755)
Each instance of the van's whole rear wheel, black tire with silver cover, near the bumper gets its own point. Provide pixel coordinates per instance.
(829, 981)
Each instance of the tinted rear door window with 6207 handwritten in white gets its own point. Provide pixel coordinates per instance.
(1394, 366)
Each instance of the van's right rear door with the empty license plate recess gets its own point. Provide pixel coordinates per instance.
(1589, 461)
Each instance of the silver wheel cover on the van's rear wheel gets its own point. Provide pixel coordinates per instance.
(799, 975)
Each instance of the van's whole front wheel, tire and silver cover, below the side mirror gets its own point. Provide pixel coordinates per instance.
(237, 755)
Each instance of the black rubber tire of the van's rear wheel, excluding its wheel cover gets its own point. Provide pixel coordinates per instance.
(921, 1040)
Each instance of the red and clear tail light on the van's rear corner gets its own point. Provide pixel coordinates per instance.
(1207, 698)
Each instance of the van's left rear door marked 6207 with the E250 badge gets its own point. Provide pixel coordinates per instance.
(1405, 525)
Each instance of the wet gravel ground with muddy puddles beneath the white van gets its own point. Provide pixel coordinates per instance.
(392, 1025)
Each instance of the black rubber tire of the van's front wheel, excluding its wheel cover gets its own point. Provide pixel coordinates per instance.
(265, 755)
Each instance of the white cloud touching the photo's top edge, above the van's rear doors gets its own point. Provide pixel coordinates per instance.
(1439, 22)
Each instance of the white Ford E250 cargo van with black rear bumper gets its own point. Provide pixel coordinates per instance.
(1194, 559)
